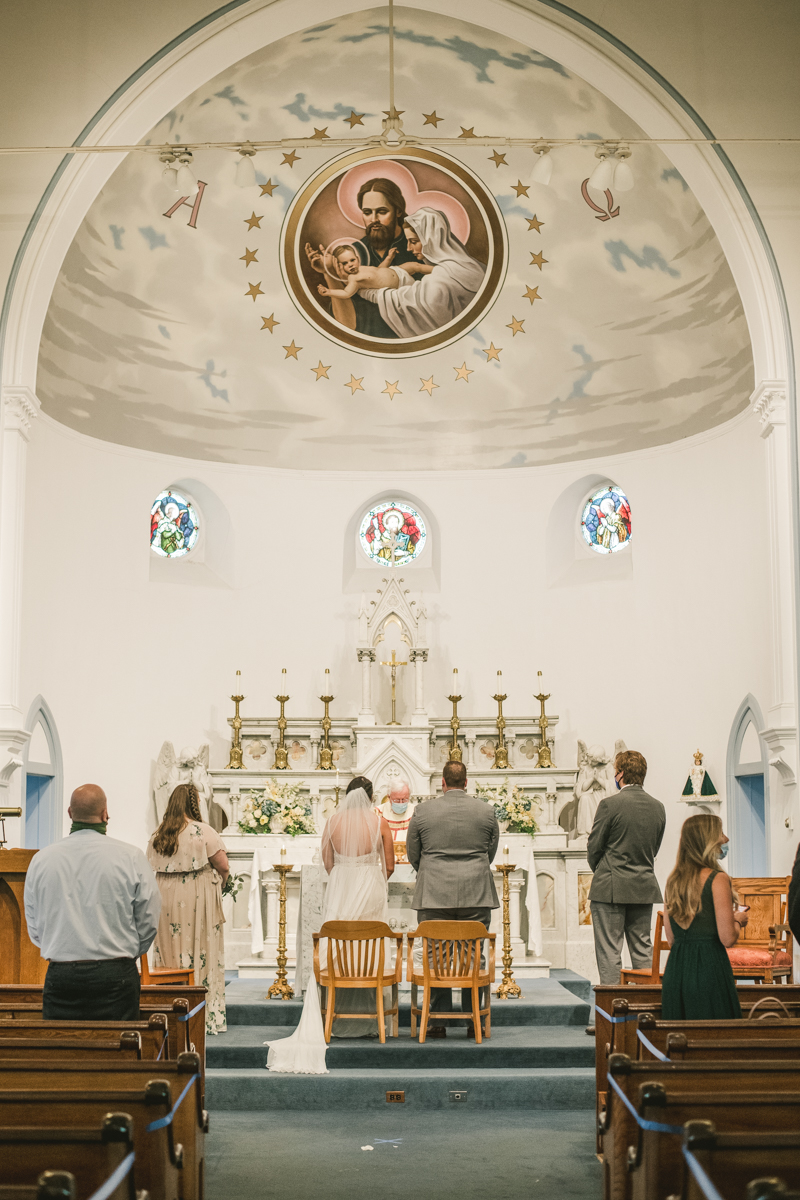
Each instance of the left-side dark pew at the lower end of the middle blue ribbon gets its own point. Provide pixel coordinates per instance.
(159, 1155)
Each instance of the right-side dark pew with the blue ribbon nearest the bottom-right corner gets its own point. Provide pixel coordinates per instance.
(730, 1160)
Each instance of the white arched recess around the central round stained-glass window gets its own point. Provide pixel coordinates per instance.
(360, 574)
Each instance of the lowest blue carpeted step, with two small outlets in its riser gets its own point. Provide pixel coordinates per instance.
(568, 1088)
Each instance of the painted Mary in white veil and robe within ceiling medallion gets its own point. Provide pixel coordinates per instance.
(443, 293)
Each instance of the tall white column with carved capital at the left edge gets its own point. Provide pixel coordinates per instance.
(20, 410)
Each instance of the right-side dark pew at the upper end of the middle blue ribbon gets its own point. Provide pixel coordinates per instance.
(749, 1097)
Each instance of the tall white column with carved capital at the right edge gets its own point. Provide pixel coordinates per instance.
(771, 406)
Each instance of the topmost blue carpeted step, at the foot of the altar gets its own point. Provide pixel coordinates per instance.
(544, 1003)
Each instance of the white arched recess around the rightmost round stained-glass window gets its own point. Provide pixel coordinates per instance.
(570, 561)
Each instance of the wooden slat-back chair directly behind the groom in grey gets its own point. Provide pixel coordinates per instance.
(452, 958)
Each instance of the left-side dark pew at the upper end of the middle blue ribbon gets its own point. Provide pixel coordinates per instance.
(190, 1121)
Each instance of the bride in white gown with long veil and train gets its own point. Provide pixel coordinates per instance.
(359, 855)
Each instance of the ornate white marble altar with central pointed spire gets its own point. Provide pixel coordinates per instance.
(416, 752)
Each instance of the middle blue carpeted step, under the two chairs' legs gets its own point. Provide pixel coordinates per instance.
(510, 1047)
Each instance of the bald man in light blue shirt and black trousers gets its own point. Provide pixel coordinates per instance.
(92, 905)
